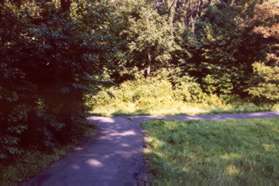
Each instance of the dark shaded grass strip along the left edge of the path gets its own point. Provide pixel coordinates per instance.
(31, 163)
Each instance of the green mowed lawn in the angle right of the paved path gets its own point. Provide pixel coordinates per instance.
(227, 153)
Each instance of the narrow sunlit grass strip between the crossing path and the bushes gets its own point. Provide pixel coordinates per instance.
(179, 108)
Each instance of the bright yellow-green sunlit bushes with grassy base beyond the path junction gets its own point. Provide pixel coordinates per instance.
(155, 95)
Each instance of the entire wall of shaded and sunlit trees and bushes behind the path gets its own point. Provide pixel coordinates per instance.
(53, 51)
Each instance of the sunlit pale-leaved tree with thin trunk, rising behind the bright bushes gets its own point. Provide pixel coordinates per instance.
(150, 41)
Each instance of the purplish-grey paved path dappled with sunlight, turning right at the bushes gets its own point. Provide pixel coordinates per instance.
(115, 156)
